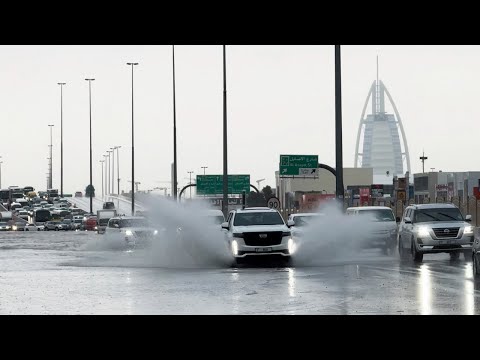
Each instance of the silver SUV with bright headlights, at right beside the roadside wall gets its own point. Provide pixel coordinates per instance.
(435, 228)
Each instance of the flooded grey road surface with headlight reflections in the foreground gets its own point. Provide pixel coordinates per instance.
(56, 273)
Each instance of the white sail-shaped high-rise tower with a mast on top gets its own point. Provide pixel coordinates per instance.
(381, 148)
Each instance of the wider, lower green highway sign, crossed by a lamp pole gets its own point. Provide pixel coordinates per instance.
(213, 184)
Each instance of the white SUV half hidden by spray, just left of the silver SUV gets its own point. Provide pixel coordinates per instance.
(383, 230)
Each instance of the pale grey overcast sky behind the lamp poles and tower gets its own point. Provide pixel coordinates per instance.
(280, 101)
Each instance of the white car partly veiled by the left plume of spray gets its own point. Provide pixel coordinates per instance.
(136, 231)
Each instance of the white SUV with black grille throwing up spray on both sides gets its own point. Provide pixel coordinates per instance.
(258, 231)
